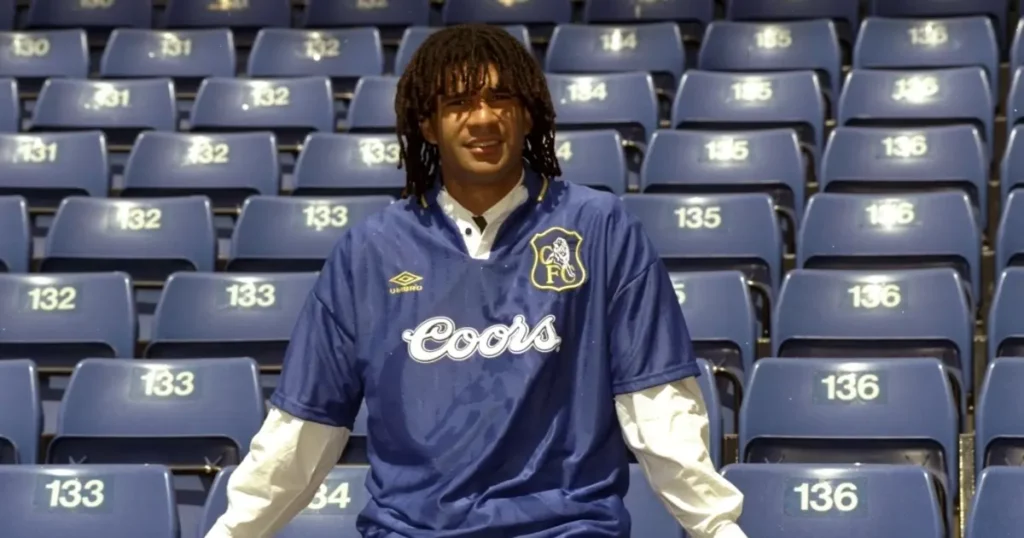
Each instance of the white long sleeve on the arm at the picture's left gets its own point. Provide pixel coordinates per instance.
(288, 461)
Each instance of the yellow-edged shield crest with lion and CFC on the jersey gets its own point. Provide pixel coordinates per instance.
(558, 265)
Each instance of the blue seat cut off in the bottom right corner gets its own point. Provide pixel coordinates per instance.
(995, 511)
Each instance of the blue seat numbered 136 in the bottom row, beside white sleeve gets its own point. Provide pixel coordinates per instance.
(793, 501)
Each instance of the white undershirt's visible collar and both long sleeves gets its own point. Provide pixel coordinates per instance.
(666, 427)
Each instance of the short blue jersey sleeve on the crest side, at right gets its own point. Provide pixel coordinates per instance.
(650, 342)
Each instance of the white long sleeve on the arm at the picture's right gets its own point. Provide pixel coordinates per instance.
(667, 428)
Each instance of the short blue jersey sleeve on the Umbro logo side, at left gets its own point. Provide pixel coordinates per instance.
(320, 380)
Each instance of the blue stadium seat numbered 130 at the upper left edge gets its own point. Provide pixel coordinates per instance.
(33, 57)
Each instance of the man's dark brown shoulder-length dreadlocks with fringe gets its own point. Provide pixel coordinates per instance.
(458, 57)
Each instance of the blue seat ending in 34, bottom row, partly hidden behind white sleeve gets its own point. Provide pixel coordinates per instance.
(332, 514)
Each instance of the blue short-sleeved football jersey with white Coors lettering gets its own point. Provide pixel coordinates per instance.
(490, 385)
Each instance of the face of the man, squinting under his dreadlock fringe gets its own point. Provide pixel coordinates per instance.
(480, 135)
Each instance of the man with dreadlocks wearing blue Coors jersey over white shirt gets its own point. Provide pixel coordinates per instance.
(506, 330)
